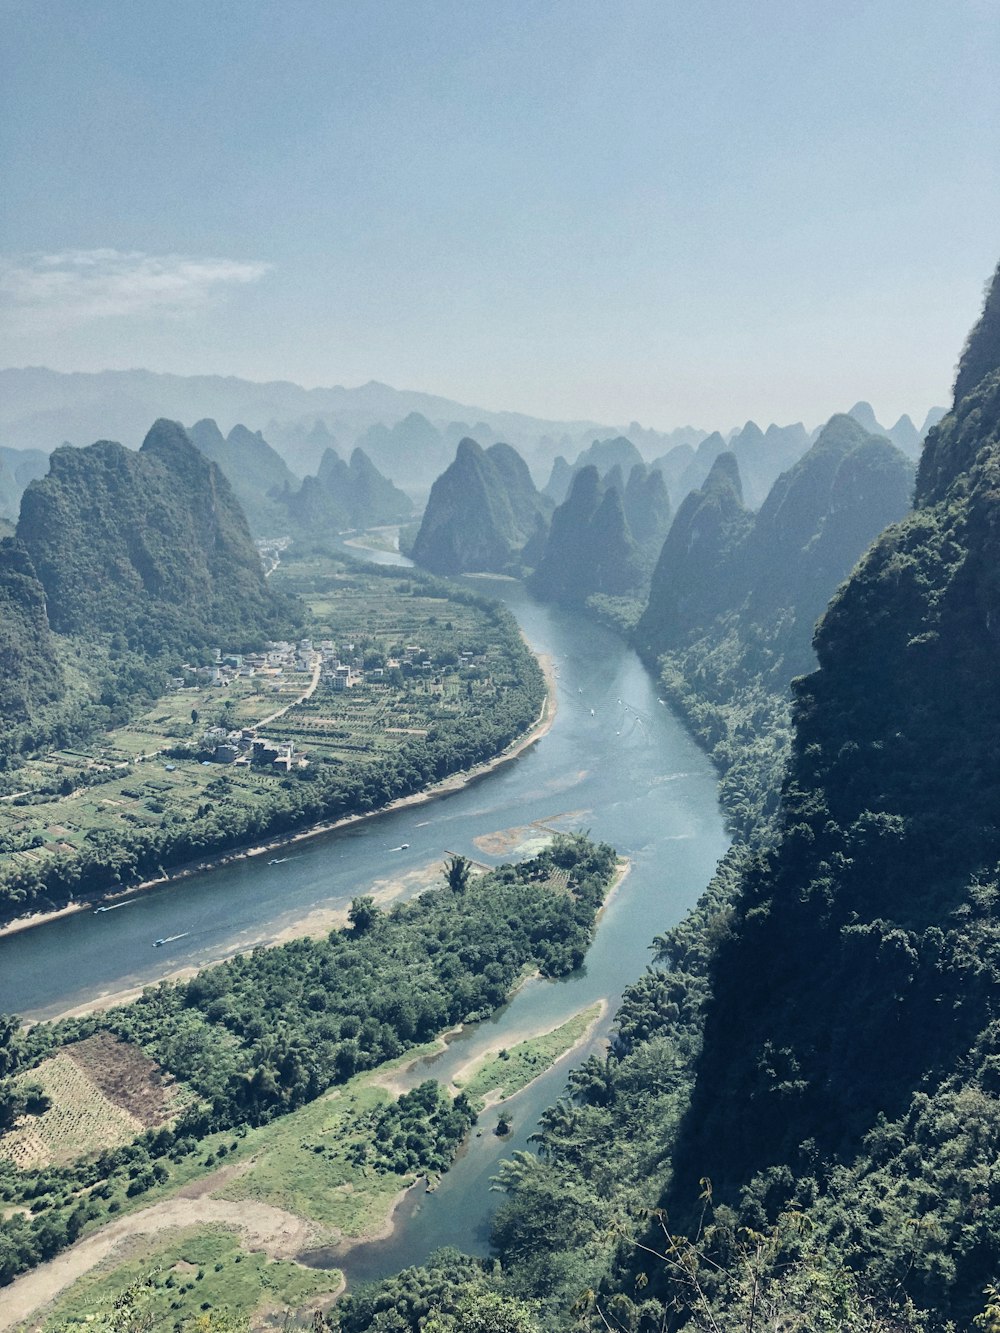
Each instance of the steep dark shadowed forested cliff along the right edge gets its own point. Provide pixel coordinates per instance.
(853, 1040)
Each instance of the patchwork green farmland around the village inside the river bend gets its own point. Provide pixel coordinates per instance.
(419, 661)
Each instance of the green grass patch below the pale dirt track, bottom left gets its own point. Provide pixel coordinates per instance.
(190, 1274)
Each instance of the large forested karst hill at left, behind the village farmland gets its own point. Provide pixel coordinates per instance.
(153, 546)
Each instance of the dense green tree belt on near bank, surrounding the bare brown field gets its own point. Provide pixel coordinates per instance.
(255, 1038)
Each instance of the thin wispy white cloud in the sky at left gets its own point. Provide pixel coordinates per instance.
(75, 287)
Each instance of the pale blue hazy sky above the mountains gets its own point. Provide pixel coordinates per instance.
(675, 211)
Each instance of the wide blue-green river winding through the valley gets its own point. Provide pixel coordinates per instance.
(615, 762)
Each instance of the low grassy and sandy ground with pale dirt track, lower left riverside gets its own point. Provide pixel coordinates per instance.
(279, 1198)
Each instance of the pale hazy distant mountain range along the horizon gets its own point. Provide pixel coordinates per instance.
(409, 435)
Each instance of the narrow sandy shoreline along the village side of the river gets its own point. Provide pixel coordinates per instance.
(454, 783)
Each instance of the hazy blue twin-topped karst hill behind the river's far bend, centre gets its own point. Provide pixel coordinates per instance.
(482, 514)
